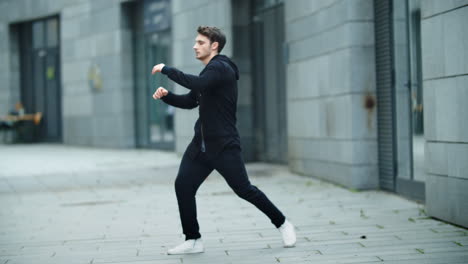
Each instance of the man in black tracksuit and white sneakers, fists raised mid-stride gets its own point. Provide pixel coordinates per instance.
(216, 144)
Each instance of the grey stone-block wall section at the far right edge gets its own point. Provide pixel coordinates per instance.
(445, 74)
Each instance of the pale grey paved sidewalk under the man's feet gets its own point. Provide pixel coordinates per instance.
(62, 204)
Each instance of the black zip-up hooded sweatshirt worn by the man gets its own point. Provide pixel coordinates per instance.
(214, 90)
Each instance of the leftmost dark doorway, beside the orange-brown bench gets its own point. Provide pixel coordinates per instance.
(40, 76)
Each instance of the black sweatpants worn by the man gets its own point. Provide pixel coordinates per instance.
(230, 165)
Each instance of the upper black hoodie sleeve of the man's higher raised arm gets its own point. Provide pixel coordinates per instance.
(209, 78)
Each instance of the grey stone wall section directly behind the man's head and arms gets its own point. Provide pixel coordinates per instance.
(187, 16)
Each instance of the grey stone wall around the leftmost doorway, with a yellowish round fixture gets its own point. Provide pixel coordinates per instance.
(91, 34)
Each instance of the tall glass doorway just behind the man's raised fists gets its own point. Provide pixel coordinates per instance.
(149, 22)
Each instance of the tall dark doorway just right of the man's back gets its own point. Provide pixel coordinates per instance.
(269, 81)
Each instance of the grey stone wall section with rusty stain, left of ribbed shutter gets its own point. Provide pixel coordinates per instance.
(330, 75)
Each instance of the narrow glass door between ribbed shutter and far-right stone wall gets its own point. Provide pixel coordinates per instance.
(409, 136)
